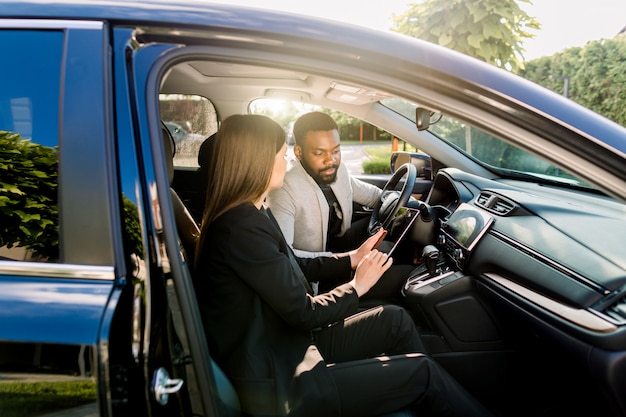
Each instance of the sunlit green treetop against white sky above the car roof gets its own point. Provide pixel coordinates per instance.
(491, 30)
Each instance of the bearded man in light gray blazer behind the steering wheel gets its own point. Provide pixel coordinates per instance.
(314, 206)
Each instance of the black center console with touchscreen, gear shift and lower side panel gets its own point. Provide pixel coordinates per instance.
(441, 295)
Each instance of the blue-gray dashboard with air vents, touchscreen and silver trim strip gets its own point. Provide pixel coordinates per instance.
(557, 251)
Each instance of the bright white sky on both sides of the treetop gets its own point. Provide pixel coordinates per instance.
(565, 23)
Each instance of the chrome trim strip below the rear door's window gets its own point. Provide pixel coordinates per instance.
(34, 269)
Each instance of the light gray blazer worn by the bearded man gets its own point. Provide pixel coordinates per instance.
(301, 209)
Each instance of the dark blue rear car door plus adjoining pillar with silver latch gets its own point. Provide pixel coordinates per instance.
(85, 281)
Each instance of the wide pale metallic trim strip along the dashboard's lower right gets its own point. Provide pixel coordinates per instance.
(577, 316)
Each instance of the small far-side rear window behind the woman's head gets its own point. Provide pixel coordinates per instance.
(190, 119)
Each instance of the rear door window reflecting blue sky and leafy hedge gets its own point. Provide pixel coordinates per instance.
(29, 114)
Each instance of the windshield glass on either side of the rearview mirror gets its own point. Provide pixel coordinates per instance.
(488, 150)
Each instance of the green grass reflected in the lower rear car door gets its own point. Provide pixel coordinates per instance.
(20, 399)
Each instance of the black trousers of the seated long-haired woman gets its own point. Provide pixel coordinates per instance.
(379, 365)
